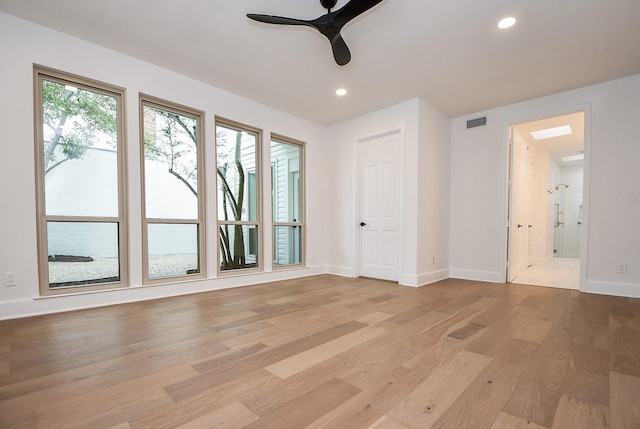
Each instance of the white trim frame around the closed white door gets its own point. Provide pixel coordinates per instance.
(399, 129)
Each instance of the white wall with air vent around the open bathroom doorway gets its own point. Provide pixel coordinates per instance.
(612, 191)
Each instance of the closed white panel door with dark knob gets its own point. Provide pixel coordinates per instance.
(380, 182)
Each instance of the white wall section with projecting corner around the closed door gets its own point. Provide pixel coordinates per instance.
(425, 190)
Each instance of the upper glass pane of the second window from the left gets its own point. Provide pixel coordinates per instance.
(170, 165)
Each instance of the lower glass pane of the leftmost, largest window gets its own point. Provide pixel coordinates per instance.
(82, 253)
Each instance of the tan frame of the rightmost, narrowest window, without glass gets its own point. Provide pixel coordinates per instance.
(301, 223)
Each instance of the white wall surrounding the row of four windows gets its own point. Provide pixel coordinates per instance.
(35, 44)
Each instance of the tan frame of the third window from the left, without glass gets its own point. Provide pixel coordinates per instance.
(258, 223)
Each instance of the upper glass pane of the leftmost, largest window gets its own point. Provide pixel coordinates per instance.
(80, 151)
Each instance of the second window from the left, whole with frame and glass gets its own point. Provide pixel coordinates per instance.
(173, 192)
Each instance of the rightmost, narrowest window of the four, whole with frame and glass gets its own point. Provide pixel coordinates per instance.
(287, 161)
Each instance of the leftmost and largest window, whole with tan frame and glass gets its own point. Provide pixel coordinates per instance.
(80, 183)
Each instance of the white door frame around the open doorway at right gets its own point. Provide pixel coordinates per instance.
(584, 238)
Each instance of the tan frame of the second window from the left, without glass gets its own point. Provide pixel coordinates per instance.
(160, 104)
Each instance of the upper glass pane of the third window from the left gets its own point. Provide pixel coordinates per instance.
(236, 162)
